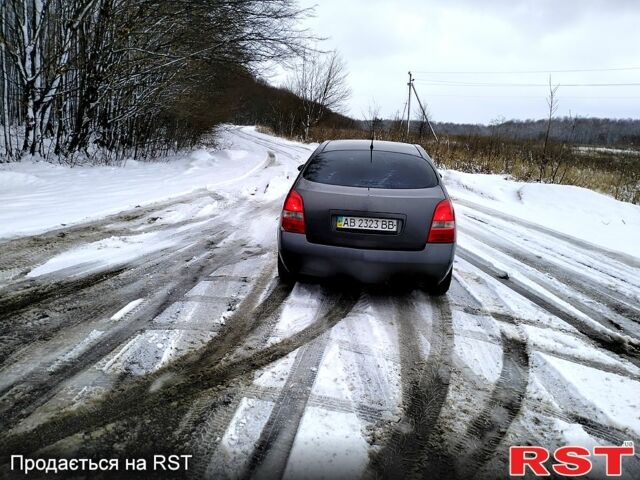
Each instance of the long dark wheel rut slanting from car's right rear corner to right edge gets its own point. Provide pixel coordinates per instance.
(610, 341)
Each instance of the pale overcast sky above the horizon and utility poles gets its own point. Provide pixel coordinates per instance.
(382, 40)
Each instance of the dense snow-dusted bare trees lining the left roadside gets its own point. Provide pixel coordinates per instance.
(120, 78)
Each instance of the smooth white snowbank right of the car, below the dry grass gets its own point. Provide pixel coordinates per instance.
(575, 211)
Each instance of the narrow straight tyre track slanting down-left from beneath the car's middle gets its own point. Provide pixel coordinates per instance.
(272, 450)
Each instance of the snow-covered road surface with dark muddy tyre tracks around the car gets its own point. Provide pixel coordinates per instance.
(164, 329)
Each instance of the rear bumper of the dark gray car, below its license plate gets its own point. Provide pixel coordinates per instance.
(369, 266)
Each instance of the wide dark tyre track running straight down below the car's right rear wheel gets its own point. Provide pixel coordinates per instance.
(413, 449)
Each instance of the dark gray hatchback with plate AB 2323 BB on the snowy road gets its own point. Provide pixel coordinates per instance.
(370, 210)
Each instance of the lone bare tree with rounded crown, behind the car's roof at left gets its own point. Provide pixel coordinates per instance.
(320, 80)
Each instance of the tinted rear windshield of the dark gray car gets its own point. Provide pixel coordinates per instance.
(358, 168)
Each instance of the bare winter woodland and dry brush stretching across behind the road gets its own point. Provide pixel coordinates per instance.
(99, 81)
